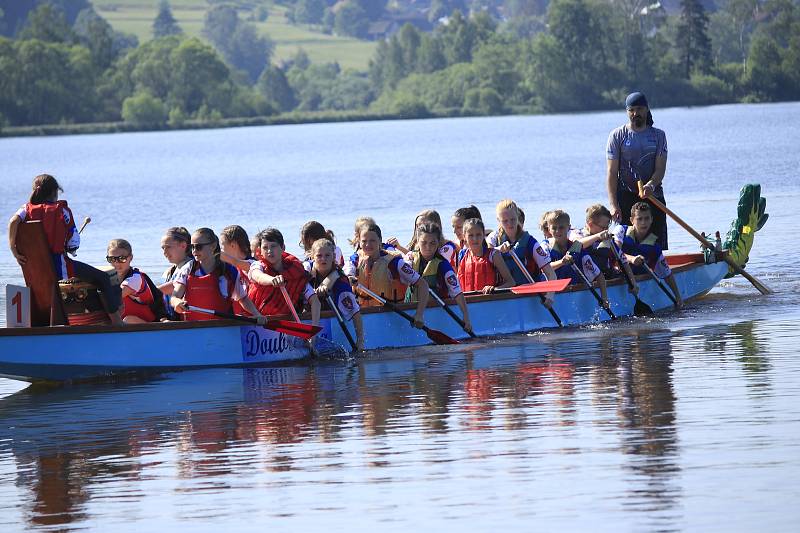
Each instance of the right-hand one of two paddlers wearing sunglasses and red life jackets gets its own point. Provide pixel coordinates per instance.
(207, 282)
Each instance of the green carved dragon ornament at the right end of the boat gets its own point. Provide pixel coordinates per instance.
(750, 218)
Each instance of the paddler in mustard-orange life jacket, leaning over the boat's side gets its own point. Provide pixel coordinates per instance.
(387, 274)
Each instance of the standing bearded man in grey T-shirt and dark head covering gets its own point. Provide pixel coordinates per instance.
(637, 151)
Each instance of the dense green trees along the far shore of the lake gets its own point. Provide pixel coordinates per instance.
(65, 66)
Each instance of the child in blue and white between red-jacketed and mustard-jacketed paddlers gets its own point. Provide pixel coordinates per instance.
(328, 279)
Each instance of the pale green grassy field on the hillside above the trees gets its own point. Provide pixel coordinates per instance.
(136, 16)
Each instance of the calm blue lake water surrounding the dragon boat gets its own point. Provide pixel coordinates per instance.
(686, 421)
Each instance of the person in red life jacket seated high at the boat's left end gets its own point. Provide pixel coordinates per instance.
(62, 237)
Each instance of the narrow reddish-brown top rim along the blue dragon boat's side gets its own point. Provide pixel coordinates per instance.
(696, 261)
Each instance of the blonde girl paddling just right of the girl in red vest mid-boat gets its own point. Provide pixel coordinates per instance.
(511, 236)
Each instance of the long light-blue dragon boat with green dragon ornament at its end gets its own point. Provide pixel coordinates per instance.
(83, 352)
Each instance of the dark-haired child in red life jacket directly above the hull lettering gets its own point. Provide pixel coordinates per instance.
(280, 269)
